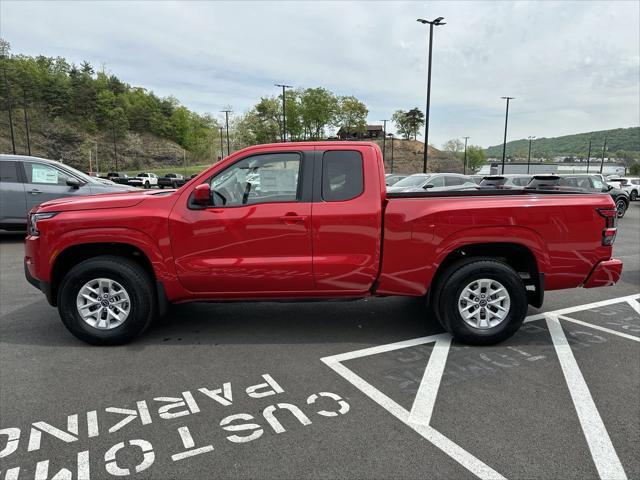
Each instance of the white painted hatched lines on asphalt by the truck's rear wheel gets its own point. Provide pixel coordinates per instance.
(602, 450)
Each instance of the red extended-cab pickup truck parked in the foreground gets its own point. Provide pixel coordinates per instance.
(313, 221)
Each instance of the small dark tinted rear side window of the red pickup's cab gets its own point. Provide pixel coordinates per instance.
(342, 177)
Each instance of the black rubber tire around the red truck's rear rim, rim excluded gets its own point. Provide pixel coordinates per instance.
(457, 278)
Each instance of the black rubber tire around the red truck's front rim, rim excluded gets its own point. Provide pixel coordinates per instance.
(131, 276)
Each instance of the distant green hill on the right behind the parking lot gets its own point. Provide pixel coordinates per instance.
(620, 140)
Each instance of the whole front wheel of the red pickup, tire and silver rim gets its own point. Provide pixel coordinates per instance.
(106, 300)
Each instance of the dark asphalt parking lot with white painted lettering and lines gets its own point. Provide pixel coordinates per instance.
(366, 389)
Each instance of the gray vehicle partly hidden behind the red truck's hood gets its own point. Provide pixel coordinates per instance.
(28, 181)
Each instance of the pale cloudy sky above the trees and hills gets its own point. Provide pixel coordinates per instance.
(572, 66)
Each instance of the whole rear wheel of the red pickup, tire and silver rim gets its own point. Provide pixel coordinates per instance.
(482, 302)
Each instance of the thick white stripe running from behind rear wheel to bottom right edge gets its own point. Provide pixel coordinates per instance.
(600, 446)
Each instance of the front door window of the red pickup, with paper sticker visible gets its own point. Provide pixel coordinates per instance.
(268, 178)
